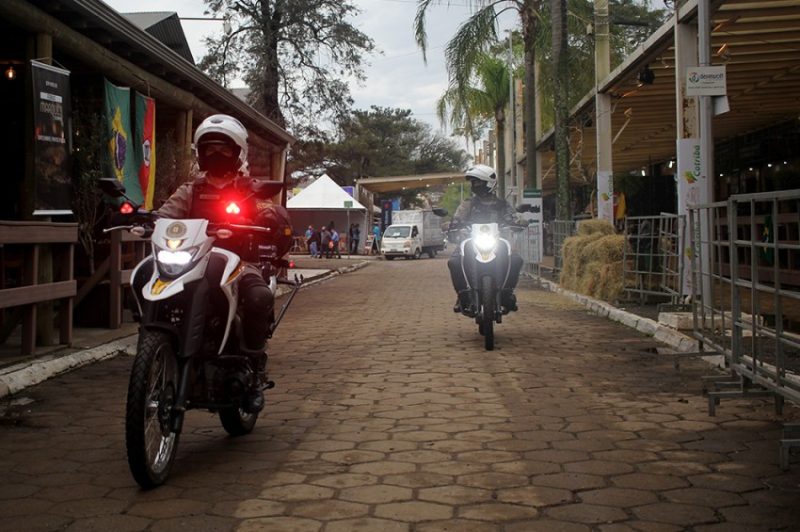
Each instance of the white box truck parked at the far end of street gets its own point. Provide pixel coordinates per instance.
(413, 233)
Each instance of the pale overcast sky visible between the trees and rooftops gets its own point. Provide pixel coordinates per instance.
(396, 77)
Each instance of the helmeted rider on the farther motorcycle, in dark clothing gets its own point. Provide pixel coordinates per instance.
(483, 207)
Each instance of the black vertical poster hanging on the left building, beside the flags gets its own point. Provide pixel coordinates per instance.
(51, 140)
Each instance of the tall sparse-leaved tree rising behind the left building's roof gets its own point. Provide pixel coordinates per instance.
(294, 55)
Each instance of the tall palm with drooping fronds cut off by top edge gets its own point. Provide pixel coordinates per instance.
(476, 36)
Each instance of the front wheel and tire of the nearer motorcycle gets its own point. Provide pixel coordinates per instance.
(152, 388)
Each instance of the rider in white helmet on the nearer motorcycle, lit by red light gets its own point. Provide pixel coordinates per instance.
(221, 150)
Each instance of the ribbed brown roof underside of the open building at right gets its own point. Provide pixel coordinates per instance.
(759, 43)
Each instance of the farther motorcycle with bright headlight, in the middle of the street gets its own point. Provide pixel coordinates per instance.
(485, 261)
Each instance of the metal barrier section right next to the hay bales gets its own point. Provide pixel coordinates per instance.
(652, 265)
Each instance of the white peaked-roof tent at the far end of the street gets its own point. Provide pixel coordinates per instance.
(322, 203)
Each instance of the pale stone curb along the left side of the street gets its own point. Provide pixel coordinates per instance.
(20, 376)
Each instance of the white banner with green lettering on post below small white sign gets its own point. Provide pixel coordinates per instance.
(691, 191)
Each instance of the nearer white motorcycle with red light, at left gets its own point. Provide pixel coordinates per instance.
(189, 354)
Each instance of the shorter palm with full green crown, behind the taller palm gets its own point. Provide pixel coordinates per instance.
(485, 96)
